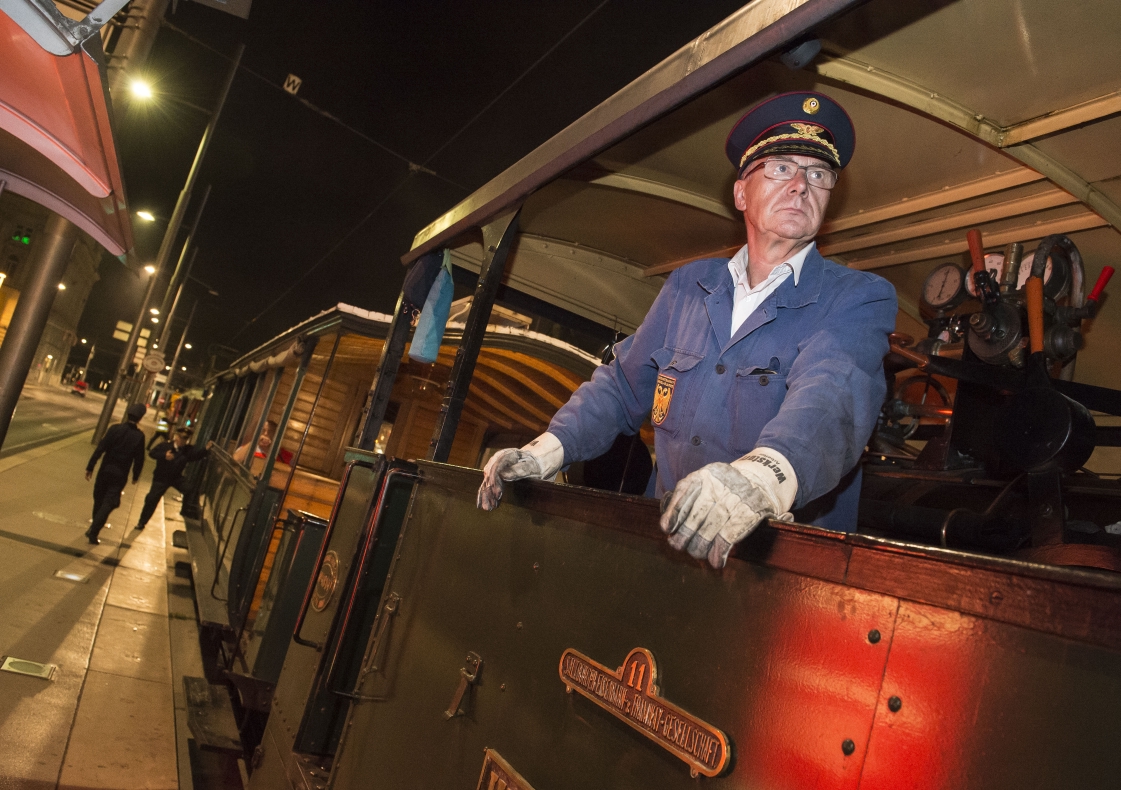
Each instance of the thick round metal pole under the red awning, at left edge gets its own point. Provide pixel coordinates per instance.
(32, 313)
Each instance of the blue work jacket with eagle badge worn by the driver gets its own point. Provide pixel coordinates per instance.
(804, 376)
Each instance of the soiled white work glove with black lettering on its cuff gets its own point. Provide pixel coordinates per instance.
(720, 505)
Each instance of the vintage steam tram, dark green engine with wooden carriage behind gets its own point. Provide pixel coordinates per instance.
(967, 636)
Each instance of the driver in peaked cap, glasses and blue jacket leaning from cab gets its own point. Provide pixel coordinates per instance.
(763, 375)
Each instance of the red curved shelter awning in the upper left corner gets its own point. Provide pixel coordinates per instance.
(57, 140)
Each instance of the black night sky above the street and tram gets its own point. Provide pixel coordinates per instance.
(316, 206)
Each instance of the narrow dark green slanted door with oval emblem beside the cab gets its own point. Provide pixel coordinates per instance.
(310, 704)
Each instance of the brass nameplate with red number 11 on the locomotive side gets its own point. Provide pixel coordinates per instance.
(632, 694)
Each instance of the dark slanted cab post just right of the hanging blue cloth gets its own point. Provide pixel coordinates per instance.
(498, 238)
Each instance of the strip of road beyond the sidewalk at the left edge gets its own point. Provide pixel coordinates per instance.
(49, 414)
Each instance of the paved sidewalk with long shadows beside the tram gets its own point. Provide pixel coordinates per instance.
(115, 620)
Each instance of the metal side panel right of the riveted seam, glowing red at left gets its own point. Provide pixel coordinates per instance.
(993, 707)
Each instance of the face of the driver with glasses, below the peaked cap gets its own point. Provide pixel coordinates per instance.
(788, 210)
